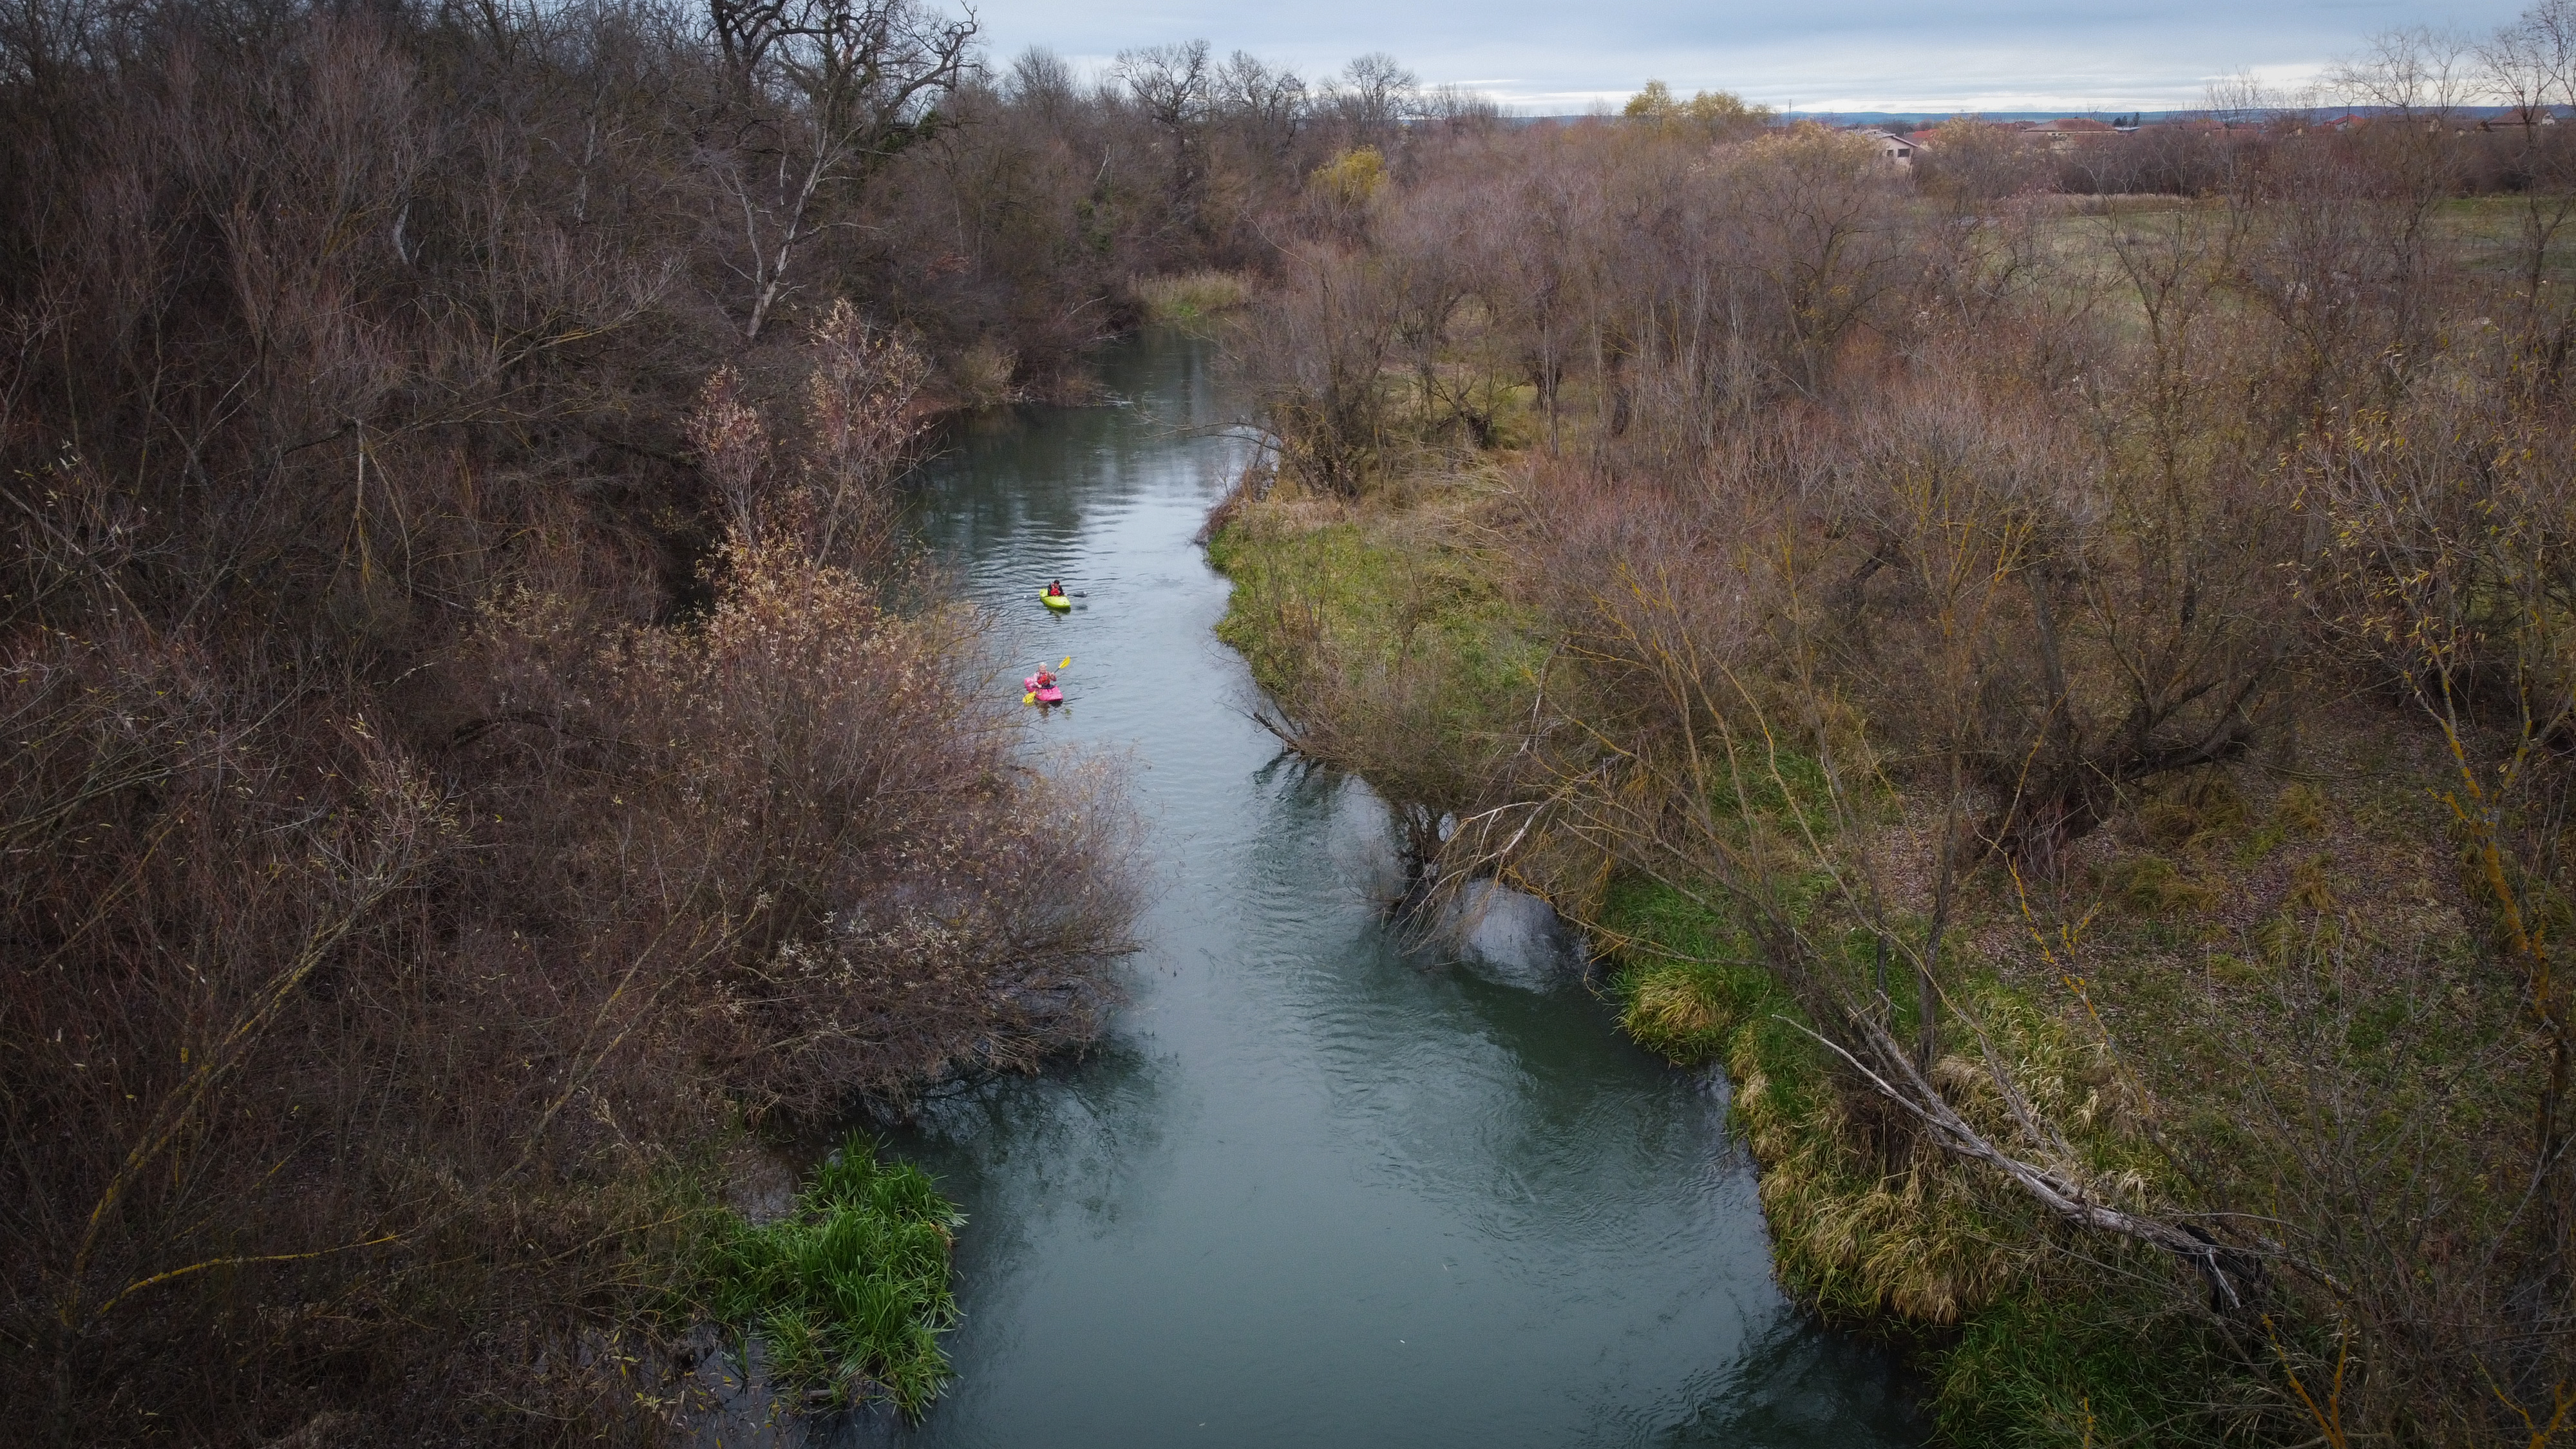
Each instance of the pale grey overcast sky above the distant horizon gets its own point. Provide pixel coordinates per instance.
(1835, 55)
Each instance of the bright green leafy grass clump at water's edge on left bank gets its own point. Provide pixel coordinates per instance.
(849, 1293)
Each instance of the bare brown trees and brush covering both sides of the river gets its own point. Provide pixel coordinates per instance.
(475, 734)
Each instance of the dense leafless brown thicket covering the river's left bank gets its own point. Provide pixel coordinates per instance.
(473, 728)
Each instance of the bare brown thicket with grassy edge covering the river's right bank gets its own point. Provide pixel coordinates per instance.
(2070, 703)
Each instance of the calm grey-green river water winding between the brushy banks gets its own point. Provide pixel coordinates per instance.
(1315, 1187)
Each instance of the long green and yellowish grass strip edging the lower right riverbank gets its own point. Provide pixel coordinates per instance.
(1877, 1231)
